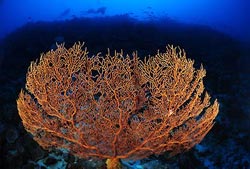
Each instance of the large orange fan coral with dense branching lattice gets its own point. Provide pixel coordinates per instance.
(116, 107)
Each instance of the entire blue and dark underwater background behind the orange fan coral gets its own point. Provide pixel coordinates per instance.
(215, 33)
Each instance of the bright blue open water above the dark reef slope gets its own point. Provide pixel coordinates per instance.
(229, 16)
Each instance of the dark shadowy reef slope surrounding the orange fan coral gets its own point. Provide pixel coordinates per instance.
(226, 60)
